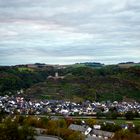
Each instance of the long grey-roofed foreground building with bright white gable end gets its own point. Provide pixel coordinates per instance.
(81, 128)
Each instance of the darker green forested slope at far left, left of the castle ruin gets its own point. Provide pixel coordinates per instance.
(17, 78)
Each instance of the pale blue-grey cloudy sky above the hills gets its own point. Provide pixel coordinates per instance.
(69, 31)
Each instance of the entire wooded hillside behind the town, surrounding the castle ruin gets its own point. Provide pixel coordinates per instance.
(79, 83)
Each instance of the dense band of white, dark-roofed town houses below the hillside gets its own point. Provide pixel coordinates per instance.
(21, 106)
